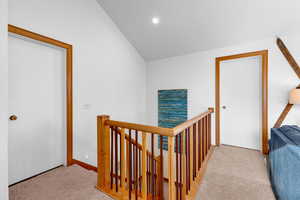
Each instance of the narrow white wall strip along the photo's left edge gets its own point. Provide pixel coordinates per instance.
(3, 100)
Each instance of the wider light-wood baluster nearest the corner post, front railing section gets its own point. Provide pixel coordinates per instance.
(144, 166)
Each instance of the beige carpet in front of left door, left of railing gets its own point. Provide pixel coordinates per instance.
(72, 183)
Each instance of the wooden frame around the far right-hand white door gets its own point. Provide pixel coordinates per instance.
(264, 129)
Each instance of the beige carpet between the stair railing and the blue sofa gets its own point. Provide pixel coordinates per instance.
(236, 174)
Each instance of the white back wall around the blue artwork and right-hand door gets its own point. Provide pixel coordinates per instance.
(196, 72)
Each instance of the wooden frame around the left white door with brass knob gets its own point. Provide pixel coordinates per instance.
(69, 80)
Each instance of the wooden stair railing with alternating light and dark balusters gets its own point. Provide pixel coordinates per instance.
(131, 165)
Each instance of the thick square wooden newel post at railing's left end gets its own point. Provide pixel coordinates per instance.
(103, 145)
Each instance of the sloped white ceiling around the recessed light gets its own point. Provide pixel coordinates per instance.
(194, 25)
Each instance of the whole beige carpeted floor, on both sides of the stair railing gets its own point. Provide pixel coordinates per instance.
(232, 174)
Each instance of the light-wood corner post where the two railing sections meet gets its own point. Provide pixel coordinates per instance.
(171, 169)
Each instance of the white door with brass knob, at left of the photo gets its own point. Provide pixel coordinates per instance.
(37, 137)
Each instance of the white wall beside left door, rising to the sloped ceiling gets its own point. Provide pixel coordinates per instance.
(109, 75)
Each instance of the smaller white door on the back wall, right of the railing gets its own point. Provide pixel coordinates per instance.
(241, 102)
